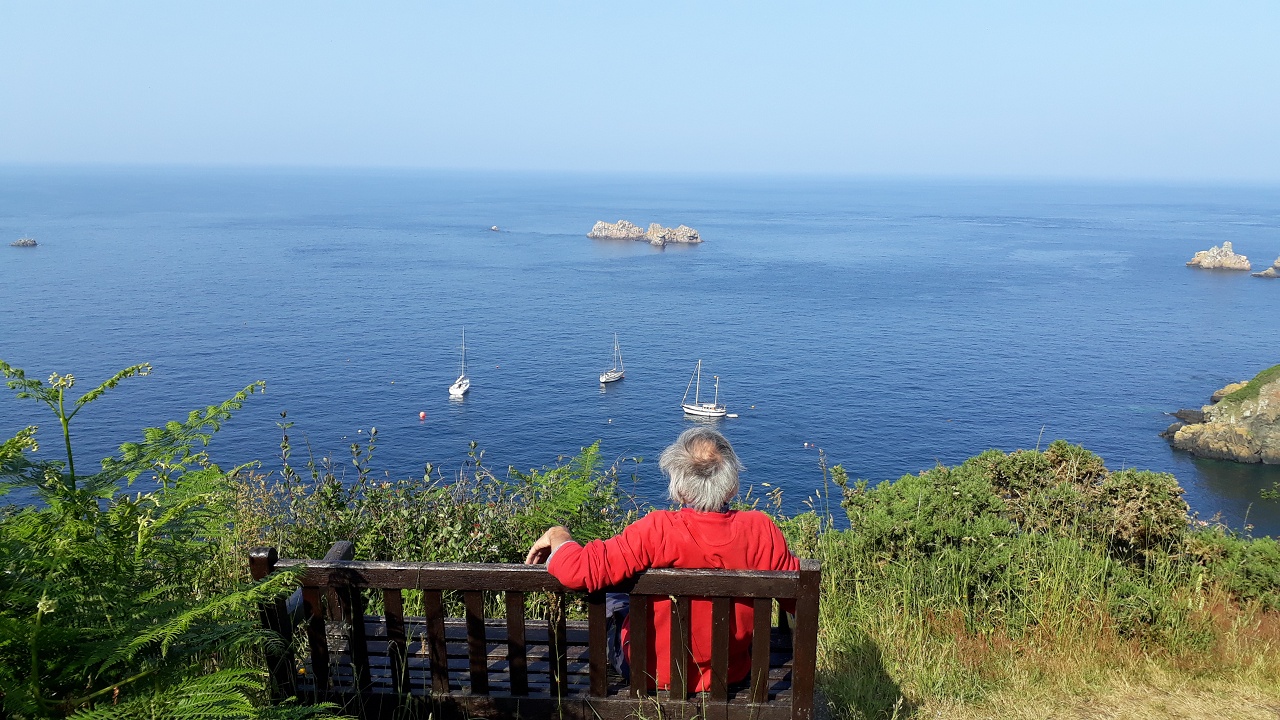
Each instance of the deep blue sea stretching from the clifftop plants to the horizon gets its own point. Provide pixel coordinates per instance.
(894, 325)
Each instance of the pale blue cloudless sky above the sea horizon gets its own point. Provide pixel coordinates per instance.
(1182, 92)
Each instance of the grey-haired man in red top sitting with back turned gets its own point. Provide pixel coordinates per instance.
(703, 534)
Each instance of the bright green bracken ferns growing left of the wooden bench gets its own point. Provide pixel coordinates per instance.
(108, 609)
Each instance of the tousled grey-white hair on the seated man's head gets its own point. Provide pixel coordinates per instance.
(703, 470)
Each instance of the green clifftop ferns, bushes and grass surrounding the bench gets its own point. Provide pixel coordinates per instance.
(1004, 586)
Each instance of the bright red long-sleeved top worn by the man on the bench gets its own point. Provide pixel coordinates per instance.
(685, 539)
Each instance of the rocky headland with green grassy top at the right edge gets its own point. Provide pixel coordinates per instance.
(1244, 426)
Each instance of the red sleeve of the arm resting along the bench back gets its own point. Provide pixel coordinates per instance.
(601, 564)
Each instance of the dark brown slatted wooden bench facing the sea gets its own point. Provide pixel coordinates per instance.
(395, 667)
